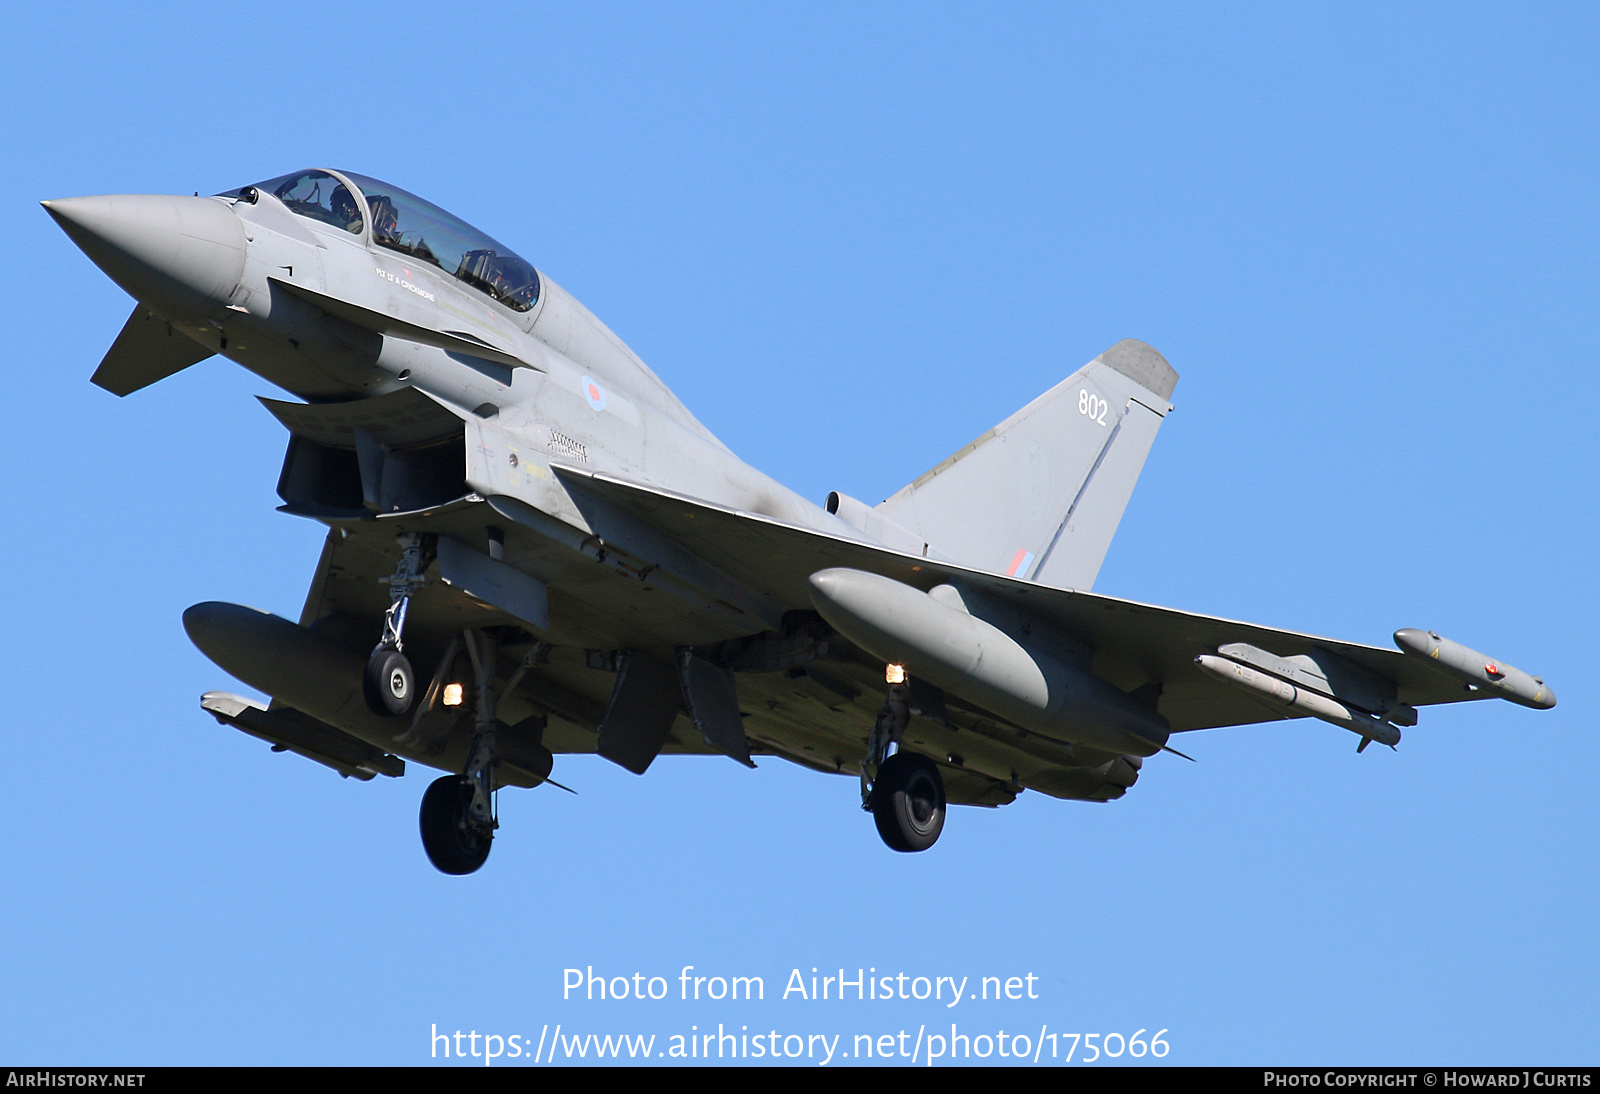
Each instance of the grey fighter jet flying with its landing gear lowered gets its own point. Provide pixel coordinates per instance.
(534, 548)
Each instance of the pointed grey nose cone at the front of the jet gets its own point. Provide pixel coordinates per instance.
(180, 255)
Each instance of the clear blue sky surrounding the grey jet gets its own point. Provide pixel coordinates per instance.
(852, 239)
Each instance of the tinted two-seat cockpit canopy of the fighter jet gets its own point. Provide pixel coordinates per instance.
(412, 226)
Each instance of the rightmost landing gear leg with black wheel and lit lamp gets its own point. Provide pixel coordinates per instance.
(906, 797)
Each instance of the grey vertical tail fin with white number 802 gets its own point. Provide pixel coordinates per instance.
(1041, 495)
